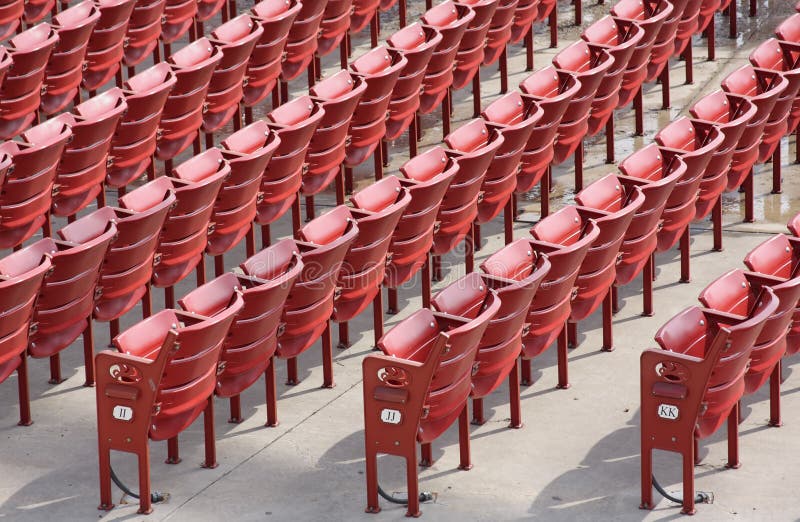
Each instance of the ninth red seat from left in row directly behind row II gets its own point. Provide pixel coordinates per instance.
(417, 43)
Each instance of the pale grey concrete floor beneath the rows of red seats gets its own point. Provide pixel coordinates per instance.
(577, 457)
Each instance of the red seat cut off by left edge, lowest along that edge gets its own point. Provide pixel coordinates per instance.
(22, 275)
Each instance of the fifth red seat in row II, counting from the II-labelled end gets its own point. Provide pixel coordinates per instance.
(378, 209)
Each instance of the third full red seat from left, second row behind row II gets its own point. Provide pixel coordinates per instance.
(134, 142)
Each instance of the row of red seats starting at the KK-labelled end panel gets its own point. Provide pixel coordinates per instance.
(711, 357)
